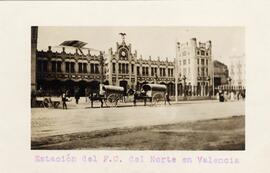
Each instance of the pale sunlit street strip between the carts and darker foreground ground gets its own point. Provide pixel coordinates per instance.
(81, 118)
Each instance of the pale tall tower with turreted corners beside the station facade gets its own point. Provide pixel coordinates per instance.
(195, 68)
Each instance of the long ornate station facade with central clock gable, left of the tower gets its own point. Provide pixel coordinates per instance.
(58, 71)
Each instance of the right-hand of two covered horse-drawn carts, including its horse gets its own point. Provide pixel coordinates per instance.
(153, 92)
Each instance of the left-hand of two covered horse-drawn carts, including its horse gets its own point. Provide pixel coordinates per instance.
(108, 94)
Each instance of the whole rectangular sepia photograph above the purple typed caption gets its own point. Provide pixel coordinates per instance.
(137, 88)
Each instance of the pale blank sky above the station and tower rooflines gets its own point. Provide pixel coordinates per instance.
(149, 41)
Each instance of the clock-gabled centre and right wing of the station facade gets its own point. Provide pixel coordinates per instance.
(126, 69)
